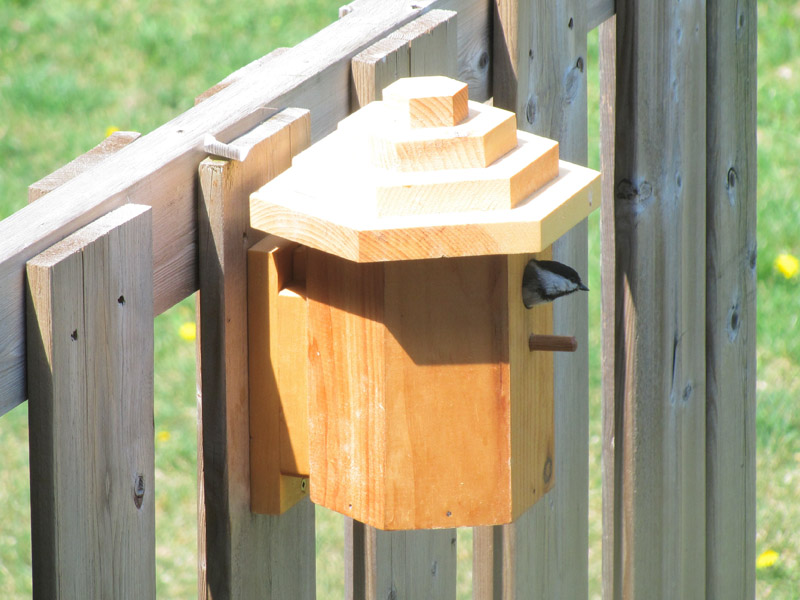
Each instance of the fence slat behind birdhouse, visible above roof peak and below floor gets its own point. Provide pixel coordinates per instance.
(403, 564)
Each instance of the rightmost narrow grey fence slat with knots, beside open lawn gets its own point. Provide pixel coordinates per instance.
(731, 299)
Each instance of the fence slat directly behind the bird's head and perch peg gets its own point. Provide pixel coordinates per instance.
(539, 67)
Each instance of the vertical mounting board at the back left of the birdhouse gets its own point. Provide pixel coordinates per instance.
(278, 367)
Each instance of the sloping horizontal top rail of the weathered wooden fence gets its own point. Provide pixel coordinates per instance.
(161, 168)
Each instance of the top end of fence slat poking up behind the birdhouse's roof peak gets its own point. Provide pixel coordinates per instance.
(433, 52)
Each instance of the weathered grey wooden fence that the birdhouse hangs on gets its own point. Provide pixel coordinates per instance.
(678, 261)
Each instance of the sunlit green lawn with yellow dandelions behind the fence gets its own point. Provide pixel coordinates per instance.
(72, 70)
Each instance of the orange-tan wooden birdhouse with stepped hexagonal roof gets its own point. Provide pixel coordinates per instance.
(391, 349)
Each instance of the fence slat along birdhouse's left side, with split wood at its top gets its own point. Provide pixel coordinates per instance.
(242, 555)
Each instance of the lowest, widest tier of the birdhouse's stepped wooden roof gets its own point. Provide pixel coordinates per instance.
(529, 227)
